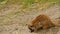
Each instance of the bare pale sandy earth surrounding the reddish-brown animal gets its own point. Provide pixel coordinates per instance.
(19, 20)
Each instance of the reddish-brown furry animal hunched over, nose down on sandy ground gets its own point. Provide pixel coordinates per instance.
(41, 21)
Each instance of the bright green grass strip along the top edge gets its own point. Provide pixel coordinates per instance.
(29, 2)
